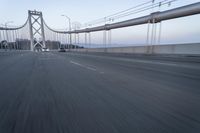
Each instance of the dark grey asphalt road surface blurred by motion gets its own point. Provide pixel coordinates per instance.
(92, 93)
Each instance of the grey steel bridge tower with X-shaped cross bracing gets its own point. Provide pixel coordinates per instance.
(36, 29)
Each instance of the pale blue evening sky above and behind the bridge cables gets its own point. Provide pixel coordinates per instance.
(173, 31)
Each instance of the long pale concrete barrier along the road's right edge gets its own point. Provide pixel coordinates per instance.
(188, 49)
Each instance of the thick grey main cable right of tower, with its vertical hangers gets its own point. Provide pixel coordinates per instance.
(152, 19)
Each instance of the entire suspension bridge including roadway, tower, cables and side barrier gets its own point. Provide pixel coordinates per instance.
(145, 89)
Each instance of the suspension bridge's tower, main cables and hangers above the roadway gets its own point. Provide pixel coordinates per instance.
(35, 34)
